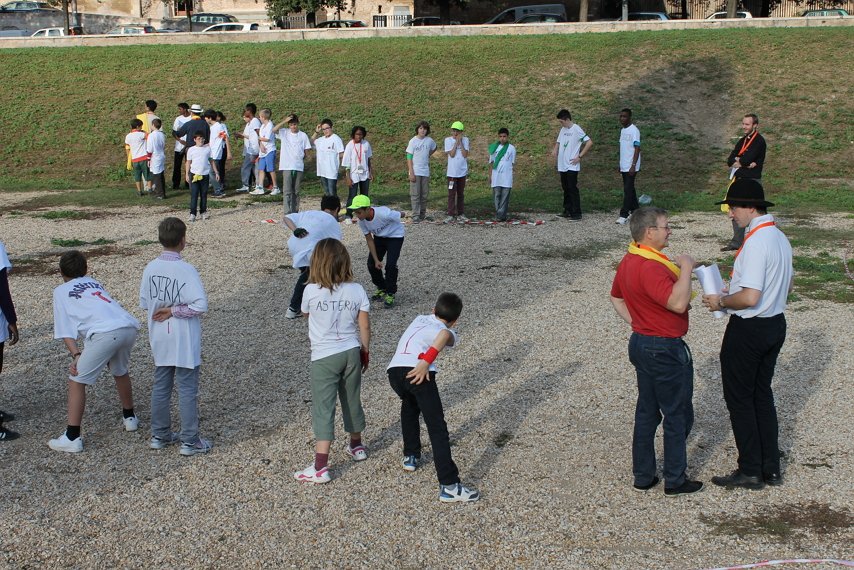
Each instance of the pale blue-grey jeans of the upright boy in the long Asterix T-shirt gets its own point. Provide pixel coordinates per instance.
(188, 402)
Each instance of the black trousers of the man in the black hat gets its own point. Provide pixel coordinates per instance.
(748, 356)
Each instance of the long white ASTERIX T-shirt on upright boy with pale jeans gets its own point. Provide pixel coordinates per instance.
(174, 342)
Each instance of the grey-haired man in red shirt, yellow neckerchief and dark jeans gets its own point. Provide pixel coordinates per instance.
(652, 293)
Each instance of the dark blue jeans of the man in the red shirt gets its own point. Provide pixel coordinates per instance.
(665, 372)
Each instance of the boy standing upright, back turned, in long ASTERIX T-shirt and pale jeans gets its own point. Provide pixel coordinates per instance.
(174, 297)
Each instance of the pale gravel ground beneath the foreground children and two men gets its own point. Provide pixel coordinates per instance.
(539, 399)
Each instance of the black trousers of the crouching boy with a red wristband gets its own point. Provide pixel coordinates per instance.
(423, 399)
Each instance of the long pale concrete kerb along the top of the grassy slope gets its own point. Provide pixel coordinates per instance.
(450, 31)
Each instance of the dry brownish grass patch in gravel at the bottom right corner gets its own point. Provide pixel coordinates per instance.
(783, 522)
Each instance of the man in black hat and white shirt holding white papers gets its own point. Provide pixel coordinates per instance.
(761, 281)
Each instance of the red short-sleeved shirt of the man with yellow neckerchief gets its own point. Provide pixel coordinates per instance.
(645, 286)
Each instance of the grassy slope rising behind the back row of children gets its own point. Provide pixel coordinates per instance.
(65, 116)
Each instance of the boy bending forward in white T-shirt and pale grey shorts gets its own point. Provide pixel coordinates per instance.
(82, 307)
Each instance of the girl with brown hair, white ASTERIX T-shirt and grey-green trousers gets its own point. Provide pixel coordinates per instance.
(340, 333)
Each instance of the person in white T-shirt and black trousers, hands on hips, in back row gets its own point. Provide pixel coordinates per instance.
(571, 146)
